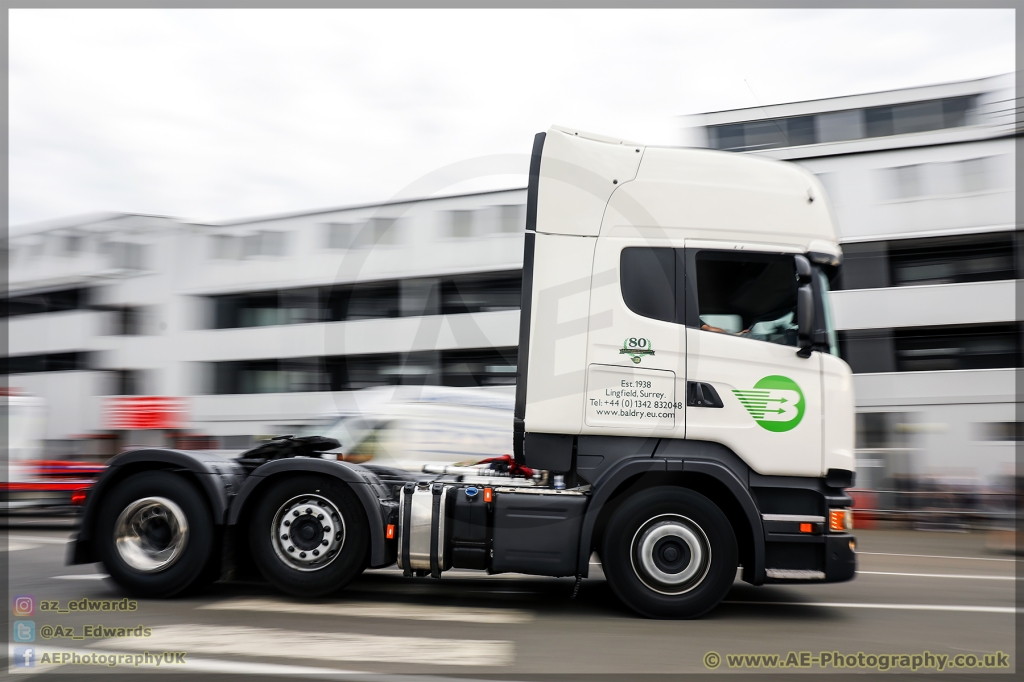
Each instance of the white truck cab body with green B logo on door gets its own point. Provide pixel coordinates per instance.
(658, 276)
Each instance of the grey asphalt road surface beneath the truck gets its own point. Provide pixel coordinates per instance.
(943, 592)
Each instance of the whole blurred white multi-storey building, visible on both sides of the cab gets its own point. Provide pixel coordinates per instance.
(151, 330)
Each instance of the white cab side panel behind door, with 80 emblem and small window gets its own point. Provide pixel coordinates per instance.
(636, 350)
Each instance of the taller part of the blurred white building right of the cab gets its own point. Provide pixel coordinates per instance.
(922, 184)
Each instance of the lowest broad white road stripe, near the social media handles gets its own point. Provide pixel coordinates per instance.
(248, 642)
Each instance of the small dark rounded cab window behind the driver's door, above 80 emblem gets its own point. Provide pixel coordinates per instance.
(648, 279)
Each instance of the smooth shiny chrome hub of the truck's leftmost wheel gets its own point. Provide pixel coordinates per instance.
(151, 534)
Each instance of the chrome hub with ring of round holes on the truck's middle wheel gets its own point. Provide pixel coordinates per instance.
(309, 533)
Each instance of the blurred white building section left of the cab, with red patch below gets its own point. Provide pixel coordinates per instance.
(141, 331)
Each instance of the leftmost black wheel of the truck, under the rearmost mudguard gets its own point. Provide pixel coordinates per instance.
(193, 559)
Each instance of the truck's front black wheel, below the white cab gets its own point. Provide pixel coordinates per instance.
(684, 533)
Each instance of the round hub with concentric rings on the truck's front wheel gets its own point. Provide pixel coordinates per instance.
(671, 555)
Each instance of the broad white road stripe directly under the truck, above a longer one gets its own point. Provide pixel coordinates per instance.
(377, 611)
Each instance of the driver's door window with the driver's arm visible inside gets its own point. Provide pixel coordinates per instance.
(751, 295)
